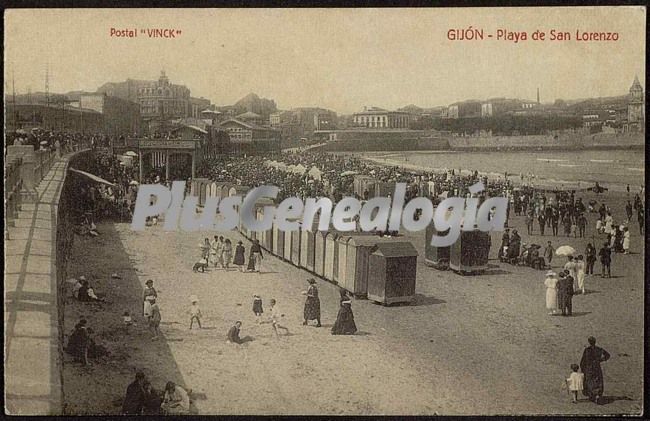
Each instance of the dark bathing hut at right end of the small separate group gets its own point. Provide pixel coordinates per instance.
(469, 254)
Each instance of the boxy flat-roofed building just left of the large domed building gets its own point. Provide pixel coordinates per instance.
(121, 116)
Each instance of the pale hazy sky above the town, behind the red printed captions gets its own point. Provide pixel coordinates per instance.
(340, 59)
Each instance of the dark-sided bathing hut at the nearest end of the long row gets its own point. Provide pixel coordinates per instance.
(391, 272)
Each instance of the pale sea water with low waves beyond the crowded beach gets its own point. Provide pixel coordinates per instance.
(614, 169)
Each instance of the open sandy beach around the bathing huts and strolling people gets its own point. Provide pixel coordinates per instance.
(467, 345)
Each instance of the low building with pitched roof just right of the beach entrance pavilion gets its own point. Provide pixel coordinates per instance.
(250, 138)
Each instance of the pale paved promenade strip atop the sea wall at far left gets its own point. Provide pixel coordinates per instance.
(32, 360)
